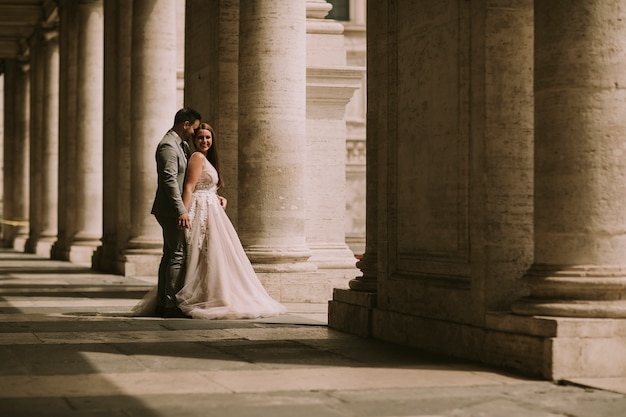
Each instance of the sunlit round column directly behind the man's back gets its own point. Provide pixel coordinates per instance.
(153, 105)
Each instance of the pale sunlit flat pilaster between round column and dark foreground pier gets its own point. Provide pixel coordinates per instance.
(330, 85)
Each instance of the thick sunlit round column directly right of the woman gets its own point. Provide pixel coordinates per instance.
(272, 133)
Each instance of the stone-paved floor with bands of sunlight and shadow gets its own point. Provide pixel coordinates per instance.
(69, 347)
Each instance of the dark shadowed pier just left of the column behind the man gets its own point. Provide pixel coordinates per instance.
(116, 135)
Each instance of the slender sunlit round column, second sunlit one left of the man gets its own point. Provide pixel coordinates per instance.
(89, 109)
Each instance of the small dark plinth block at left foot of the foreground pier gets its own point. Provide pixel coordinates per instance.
(351, 312)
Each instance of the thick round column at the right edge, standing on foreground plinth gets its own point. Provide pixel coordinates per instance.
(579, 265)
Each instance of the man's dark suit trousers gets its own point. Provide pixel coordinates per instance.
(172, 267)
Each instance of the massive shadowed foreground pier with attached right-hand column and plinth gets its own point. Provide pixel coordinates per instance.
(540, 283)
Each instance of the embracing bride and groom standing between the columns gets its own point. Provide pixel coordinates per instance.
(204, 272)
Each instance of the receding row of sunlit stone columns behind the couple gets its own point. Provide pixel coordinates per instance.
(94, 125)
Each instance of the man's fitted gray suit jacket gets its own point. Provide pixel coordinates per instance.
(171, 166)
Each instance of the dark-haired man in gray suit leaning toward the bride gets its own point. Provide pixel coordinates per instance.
(171, 158)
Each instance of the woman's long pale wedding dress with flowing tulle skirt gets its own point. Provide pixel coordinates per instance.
(220, 282)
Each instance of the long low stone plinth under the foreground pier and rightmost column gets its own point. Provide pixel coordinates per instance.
(554, 348)
